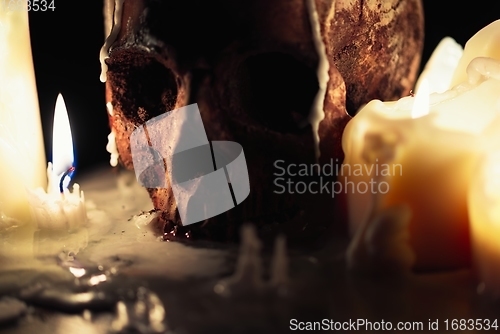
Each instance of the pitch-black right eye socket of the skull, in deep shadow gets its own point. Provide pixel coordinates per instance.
(278, 91)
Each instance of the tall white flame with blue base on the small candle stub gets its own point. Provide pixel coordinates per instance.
(62, 144)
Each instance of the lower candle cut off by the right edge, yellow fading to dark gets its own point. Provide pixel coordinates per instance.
(484, 211)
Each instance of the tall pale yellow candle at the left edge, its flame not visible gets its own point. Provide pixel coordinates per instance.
(21, 141)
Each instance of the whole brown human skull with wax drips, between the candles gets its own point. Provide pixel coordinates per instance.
(251, 66)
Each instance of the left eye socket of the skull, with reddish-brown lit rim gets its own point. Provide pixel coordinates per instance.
(145, 87)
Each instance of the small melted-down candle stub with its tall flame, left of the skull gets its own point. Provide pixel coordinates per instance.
(58, 208)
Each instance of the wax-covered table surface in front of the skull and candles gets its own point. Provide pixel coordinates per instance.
(132, 282)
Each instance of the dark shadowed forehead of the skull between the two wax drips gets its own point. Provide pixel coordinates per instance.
(195, 32)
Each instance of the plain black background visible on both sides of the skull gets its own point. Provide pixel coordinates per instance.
(66, 46)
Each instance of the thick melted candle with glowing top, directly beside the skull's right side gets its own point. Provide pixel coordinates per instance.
(395, 156)
